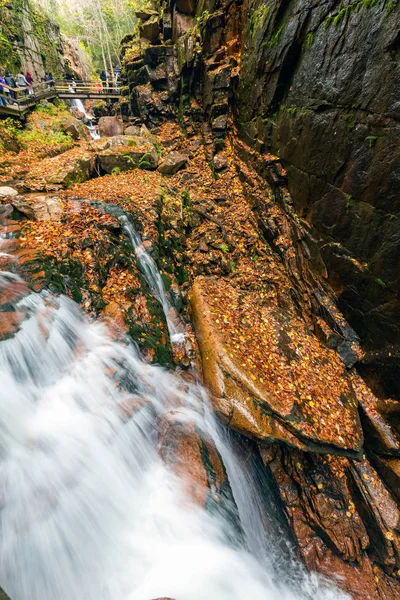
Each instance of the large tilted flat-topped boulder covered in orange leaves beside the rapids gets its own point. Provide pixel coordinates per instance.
(270, 378)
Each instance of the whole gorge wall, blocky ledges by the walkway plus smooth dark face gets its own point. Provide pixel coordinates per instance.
(318, 86)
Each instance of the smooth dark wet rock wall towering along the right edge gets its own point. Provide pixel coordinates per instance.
(319, 86)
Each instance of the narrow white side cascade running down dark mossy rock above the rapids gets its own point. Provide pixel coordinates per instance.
(154, 279)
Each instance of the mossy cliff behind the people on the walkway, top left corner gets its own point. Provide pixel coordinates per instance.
(30, 41)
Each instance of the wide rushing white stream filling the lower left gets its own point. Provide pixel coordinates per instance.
(88, 509)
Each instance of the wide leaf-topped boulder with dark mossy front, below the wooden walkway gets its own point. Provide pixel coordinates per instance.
(126, 152)
